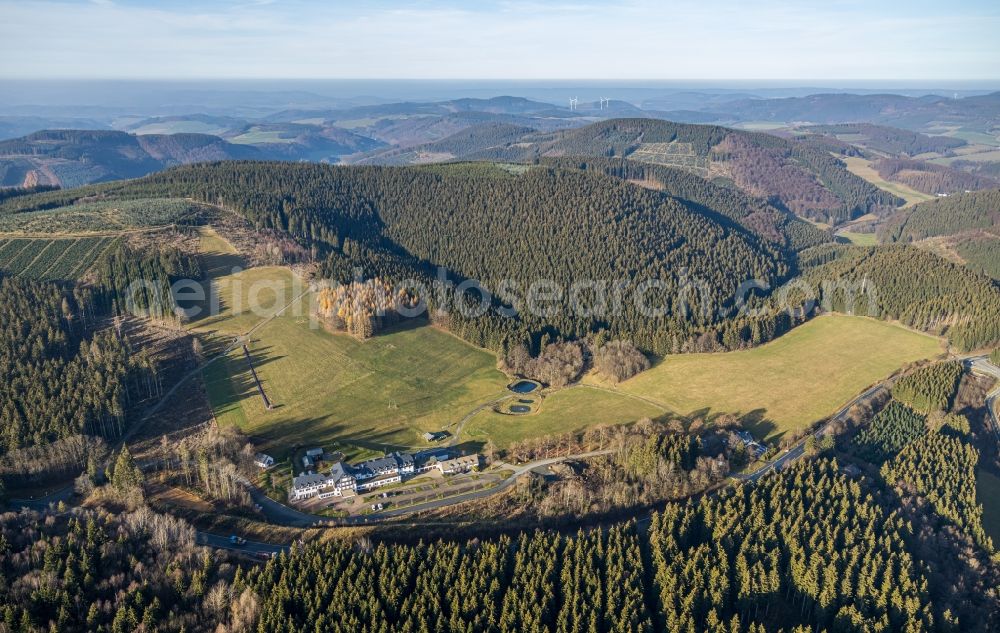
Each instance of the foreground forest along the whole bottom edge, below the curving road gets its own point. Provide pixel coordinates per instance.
(806, 550)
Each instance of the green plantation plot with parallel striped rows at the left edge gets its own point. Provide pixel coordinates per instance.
(51, 259)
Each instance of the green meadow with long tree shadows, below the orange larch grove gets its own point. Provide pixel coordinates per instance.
(371, 395)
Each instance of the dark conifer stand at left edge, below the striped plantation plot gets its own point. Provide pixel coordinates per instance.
(61, 379)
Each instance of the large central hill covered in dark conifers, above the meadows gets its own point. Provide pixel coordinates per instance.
(489, 223)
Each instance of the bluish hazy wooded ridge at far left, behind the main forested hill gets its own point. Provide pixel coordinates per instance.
(70, 158)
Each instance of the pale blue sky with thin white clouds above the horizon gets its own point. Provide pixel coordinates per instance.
(901, 40)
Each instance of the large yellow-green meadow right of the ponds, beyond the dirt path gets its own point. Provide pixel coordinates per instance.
(791, 382)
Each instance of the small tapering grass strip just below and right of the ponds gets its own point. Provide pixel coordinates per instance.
(563, 411)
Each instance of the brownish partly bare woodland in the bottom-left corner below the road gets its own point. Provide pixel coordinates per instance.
(95, 571)
